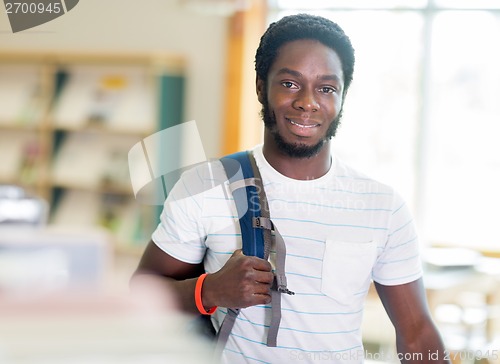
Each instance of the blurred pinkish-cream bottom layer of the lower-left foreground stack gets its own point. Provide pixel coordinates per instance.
(87, 328)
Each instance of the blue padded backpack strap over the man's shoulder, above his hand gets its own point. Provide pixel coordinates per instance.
(246, 196)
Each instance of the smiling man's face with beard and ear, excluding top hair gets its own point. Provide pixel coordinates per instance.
(303, 97)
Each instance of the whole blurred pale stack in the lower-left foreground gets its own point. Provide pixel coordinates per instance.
(58, 304)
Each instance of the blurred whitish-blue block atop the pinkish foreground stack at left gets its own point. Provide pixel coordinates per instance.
(44, 260)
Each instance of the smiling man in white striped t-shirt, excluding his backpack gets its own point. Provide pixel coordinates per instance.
(342, 230)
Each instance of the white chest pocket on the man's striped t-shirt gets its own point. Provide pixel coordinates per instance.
(346, 271)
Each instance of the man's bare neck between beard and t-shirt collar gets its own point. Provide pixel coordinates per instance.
(297, 168)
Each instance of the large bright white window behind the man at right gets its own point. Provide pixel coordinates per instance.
(423, 112)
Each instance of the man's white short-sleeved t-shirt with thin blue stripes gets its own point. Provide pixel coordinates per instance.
(341, 231)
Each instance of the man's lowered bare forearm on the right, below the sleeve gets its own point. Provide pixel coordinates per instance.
(416, 335)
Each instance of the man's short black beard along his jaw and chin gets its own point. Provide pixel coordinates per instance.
(296, 150)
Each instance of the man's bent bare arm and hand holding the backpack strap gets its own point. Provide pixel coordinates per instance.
(242, 282)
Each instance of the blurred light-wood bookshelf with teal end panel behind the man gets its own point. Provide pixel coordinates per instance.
(67, 122)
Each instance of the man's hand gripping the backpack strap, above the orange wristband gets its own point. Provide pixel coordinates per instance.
(242, 282)
